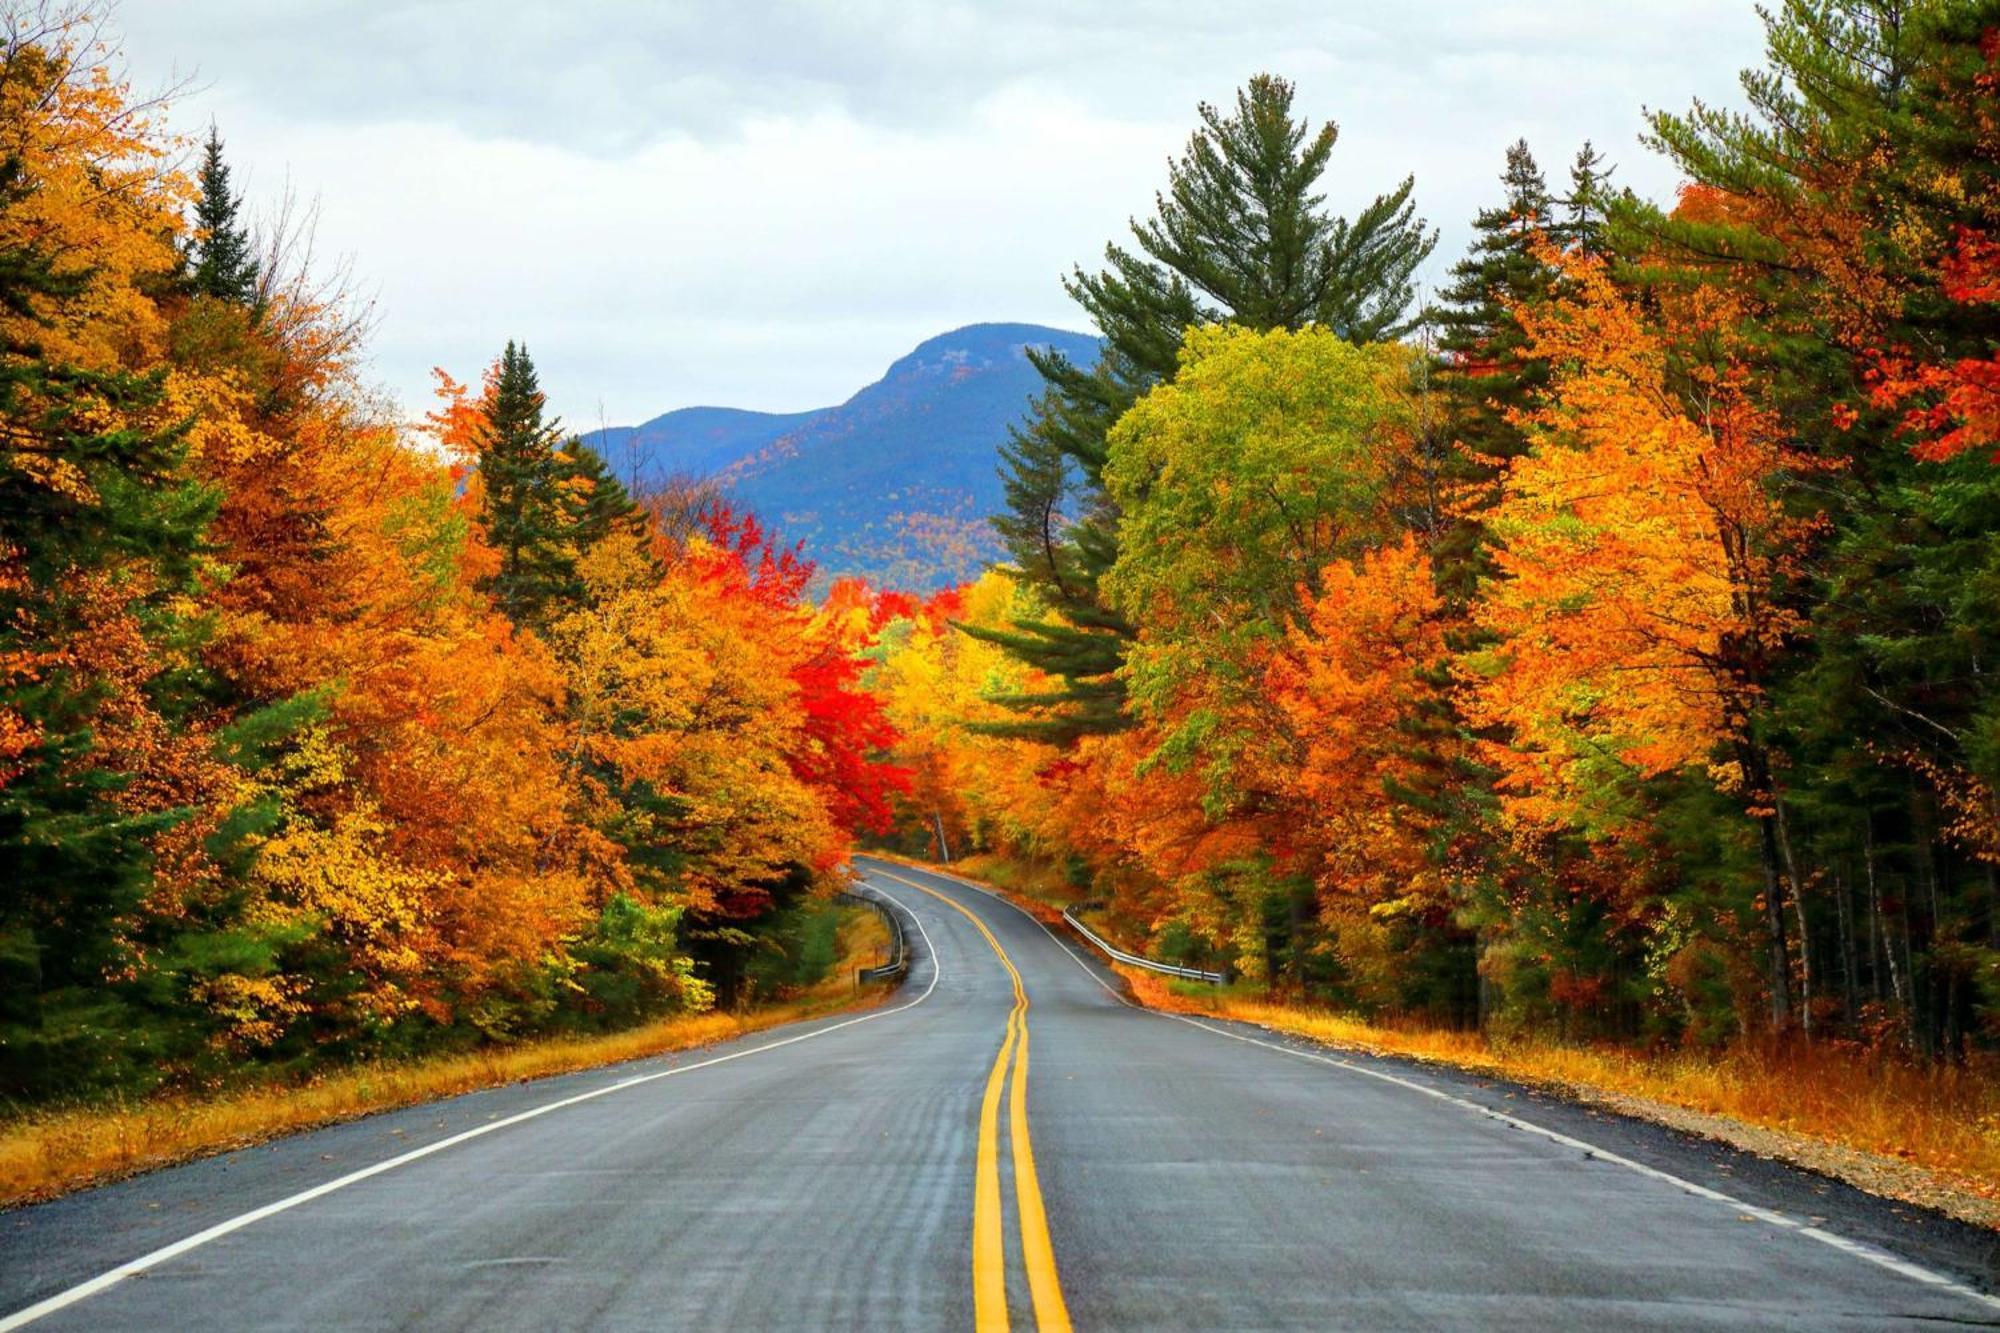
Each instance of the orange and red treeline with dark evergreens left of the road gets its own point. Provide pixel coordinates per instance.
(323, 740)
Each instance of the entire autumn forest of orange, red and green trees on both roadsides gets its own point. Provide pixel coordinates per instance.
(1599, 645)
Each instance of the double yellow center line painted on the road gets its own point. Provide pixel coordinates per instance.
(989, 1240)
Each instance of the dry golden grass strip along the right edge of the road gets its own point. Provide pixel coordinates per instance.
(1941, 1124)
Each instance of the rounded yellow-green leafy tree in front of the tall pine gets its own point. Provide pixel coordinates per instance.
(1239, 483)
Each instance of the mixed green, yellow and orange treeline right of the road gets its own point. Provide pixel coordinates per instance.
(1601, 647)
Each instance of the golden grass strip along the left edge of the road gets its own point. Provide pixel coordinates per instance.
(49, 1154)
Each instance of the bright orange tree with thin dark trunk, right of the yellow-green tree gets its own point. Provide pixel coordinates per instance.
(1637, 599)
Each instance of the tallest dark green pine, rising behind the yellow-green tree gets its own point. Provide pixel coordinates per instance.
(1239, 235)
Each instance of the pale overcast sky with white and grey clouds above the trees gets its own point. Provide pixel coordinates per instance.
(765, 203)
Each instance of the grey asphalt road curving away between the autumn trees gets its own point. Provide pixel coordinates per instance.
(907, 1168)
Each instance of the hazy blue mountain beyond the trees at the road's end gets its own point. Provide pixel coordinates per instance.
(895, 483)
